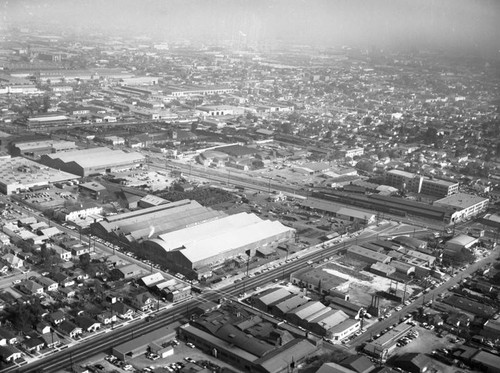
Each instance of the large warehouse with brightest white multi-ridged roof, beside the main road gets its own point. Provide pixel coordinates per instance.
(195, 250)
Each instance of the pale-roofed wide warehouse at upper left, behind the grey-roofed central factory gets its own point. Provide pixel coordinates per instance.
(92, 161)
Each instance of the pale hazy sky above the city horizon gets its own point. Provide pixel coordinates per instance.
(421, 23)
